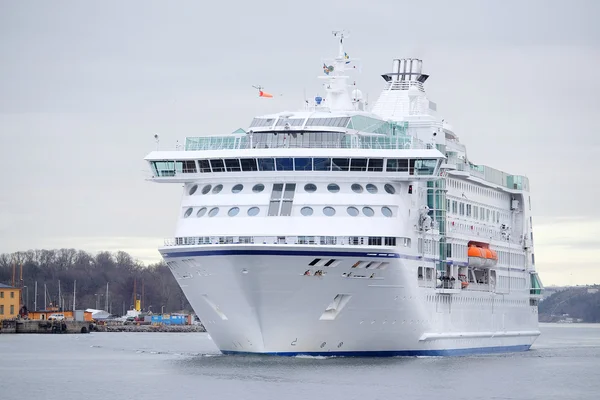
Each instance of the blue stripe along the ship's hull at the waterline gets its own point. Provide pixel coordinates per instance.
(393, 353)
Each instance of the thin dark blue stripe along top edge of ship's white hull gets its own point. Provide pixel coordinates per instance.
(247, 252)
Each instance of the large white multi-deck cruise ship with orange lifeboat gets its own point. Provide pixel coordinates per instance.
(343, 229)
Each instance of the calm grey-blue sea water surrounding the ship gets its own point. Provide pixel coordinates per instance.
(563, 364)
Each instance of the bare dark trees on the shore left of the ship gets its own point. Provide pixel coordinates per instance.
(89, 274)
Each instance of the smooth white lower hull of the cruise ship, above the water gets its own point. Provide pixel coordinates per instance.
(258, 300)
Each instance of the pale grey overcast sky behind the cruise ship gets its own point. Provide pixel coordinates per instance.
(84, 87)
